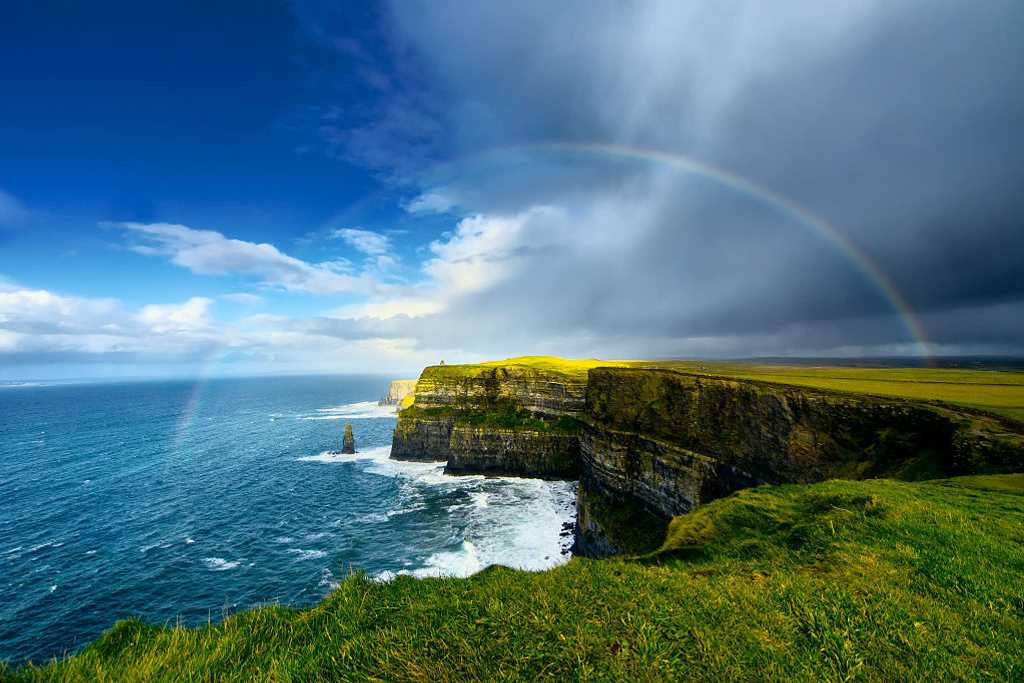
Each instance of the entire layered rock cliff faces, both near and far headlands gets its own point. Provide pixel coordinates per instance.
(648, 444)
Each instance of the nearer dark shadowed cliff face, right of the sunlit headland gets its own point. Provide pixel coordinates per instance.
(658, 444)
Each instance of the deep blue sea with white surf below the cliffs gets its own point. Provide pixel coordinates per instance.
(188, 501)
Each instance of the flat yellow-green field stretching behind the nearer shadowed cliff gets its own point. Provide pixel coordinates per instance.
(998, 392)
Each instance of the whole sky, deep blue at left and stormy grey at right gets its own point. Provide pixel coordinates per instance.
(262, 188)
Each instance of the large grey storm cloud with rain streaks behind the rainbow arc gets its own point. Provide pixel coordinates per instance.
(899, 122)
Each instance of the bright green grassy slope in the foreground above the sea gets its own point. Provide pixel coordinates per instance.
(872, 580)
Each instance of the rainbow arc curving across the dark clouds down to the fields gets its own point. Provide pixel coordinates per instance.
(804, 217)
